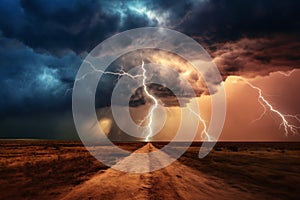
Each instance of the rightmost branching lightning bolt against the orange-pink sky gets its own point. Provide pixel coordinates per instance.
(287, 126)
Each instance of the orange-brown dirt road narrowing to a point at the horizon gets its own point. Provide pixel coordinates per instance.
(176, 181)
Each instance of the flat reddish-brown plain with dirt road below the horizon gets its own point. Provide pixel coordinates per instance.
(36, 169)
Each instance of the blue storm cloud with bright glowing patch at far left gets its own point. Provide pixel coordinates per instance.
(33, 82)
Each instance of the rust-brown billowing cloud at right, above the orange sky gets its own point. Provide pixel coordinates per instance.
(258, 56)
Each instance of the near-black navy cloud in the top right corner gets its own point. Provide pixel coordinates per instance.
(230, 20)
